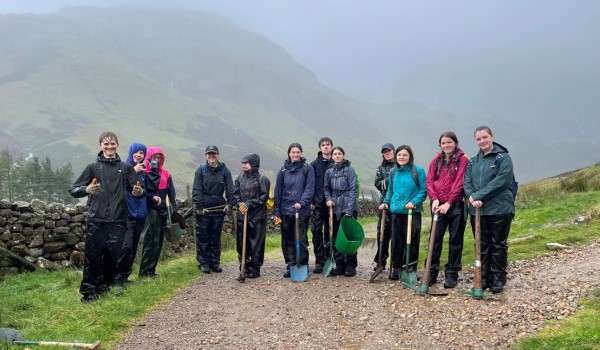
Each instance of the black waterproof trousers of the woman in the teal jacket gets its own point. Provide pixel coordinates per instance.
(399, 230)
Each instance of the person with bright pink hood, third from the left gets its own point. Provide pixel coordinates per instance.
(161, 191)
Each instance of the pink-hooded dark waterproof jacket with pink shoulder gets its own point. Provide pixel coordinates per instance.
(159, 183)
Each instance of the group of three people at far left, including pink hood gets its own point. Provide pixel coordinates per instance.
(125, 199)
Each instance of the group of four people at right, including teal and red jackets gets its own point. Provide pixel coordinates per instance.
(455, 185)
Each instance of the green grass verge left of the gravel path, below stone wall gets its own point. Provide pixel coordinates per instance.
(45, 305)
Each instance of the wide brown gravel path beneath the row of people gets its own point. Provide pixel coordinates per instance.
(218, 312)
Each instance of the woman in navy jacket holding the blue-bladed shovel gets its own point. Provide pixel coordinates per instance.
(294, 190)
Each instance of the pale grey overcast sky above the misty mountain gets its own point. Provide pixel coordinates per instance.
(393, 50)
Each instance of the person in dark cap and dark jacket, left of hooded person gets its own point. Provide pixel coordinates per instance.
(211, 181)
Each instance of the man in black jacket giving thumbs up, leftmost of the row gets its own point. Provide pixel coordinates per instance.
(105, 183)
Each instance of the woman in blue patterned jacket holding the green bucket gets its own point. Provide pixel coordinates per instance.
(340, 193)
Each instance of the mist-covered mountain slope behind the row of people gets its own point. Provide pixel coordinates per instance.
(183, 80)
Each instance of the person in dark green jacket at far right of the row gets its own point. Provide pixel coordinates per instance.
(487, 185)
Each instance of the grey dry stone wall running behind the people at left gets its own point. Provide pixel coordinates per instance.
(52, 236)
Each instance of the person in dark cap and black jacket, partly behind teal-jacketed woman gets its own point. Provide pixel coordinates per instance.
(381, 183)
